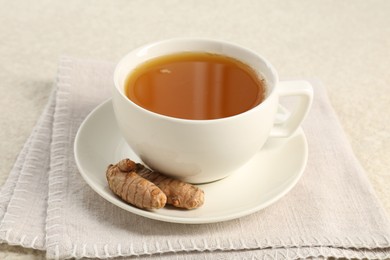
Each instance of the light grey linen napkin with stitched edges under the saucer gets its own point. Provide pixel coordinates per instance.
(46, 205)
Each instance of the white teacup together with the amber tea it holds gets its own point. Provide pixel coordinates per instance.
(199, 109)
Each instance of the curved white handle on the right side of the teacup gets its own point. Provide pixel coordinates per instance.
(303, 91)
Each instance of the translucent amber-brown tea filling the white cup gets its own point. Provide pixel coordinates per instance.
(193, 85)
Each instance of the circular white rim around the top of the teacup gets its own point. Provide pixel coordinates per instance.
(143, 48)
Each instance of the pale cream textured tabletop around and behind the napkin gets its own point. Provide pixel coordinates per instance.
(344, 44)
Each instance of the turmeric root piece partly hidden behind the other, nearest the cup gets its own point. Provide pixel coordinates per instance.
(179, 194)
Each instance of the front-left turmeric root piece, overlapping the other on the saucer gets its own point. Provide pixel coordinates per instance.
(134, 189)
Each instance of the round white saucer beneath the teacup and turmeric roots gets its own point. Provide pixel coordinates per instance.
(272, 173)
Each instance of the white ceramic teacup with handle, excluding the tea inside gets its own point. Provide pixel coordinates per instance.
(200, 151)
